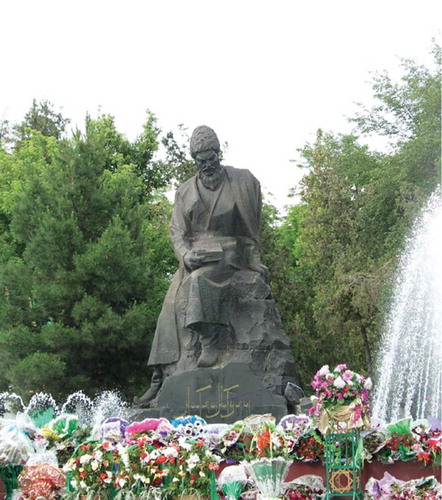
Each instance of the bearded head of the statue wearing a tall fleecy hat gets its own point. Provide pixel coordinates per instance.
(205, 149)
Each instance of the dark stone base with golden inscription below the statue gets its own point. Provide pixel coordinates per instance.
(222, 395)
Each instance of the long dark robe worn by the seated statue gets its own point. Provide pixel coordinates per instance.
(228, 219)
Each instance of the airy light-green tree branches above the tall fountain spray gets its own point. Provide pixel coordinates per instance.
(408, 114)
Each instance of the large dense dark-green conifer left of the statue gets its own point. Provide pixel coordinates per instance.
(82, 296)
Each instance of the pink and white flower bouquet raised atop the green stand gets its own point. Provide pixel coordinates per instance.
(341, 400)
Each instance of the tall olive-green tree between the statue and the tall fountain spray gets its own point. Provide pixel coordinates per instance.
(340, 246)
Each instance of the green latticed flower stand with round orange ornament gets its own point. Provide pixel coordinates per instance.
(343, 465)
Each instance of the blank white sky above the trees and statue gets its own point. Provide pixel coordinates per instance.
(265, 75)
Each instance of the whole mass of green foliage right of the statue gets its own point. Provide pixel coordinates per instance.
(357, 207)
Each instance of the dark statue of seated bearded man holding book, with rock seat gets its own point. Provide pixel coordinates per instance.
(221, 283)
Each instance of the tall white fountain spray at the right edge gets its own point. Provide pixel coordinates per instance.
(410, 359)
